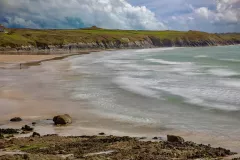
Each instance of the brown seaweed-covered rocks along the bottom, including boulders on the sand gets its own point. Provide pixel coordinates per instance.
(101, 147)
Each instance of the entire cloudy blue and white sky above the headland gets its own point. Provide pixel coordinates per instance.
(202, 15)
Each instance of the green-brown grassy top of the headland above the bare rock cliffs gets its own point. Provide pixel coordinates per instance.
(37, 38)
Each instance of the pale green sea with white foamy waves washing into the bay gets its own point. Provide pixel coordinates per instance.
(193, 89)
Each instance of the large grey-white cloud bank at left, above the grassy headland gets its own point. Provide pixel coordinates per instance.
(118, 14)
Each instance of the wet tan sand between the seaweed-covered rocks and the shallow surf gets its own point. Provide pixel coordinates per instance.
(37, 94)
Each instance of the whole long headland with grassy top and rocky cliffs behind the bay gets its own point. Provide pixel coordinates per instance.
(29, 40)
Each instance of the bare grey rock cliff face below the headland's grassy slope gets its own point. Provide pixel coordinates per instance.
(148, 42)
